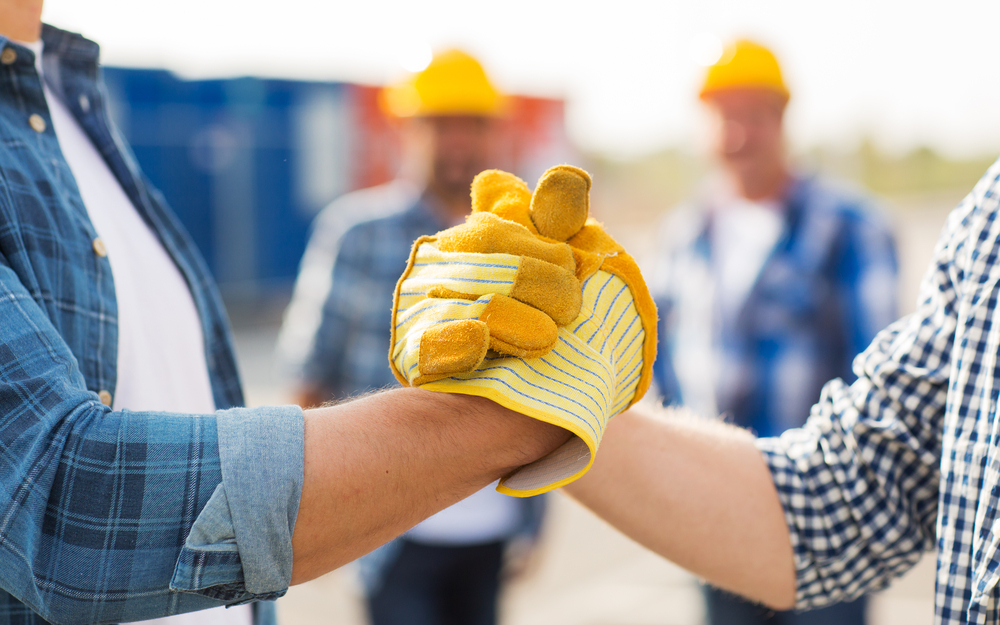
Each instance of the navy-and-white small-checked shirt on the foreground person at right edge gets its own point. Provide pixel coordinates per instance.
(906, 459)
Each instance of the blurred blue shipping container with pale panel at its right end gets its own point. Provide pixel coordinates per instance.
(246, 163)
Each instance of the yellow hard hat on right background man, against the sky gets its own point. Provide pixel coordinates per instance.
(744, 64)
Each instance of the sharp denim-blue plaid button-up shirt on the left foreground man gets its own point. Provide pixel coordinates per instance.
(115, 516)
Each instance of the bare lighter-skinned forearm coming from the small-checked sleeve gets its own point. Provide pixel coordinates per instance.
(698, 493)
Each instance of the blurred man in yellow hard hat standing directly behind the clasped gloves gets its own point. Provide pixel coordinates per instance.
(446, 569)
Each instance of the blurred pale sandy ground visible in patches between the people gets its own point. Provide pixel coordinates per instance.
(613, 581)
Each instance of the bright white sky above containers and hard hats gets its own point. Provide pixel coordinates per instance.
(907, 73)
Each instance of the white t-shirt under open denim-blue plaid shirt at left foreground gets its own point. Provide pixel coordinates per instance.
(161, 348)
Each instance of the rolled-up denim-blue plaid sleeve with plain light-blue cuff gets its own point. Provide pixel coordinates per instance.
(114, 516)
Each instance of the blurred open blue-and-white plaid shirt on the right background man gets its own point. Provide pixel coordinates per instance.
(827, 287)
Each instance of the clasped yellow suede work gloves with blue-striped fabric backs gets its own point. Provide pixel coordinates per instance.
(532, 305)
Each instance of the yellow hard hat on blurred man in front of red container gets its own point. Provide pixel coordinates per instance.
(453, 84)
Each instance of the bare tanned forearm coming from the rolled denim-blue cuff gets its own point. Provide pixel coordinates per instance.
(377, 466)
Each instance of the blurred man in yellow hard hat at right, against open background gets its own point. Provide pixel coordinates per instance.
(768, 286)
